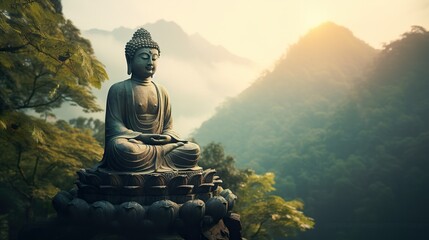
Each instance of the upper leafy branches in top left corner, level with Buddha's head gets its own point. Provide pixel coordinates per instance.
(44, 61)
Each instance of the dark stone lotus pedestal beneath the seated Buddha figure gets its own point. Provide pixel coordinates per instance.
(171, 205)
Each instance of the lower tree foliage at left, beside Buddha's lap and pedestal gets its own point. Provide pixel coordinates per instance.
(39, 158)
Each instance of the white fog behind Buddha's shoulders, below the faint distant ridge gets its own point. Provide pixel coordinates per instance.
(196, 88)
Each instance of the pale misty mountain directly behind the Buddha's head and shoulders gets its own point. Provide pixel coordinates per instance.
(198, 74)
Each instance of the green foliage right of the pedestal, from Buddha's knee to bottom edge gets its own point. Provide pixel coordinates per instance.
(264, 216)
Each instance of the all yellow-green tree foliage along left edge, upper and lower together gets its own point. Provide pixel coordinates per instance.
(44, 62)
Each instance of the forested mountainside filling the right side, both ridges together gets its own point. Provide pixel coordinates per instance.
(345, 129)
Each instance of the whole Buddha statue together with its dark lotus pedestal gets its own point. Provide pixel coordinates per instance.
(148, 183)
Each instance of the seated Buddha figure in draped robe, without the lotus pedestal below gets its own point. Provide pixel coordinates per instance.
(139, 126)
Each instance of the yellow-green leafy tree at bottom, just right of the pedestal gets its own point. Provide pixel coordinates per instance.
(267, 216)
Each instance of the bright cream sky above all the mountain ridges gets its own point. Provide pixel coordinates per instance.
(260, 30)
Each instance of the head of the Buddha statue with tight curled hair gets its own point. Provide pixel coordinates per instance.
(141, 49)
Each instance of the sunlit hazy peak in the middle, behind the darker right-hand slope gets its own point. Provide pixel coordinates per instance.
(315, 75)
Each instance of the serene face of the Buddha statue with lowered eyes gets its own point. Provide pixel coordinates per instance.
(144, 63)
